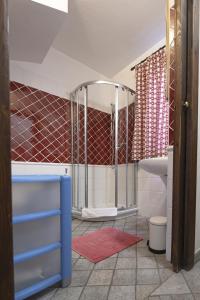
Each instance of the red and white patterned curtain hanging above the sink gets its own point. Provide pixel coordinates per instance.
(150, 137)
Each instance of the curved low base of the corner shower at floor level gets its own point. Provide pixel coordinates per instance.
(121, 213)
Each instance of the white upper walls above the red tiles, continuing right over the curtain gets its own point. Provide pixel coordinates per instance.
(60, 75)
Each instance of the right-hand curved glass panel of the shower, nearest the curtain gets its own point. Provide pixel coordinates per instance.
(126, 168)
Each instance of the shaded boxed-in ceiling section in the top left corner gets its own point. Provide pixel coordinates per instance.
(32, 29)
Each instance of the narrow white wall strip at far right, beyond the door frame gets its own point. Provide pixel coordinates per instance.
(197, 241)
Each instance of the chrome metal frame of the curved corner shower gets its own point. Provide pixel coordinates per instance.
(84, 87)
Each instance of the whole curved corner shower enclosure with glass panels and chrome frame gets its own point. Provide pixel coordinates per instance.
(103, 173)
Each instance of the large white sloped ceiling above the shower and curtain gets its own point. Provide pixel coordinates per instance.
(107, 35)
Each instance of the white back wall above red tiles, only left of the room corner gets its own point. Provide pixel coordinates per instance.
(59, 74)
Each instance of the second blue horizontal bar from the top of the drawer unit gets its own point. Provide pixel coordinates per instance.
(36, 216)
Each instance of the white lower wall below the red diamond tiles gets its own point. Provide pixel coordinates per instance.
(147, 190)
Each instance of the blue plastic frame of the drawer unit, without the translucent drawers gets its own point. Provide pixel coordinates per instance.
(64, 245)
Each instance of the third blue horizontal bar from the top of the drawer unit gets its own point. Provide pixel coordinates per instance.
(18, 258)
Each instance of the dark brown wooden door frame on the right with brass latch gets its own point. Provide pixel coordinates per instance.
(185, 134)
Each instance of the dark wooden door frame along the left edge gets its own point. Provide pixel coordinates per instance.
(6, 245)
